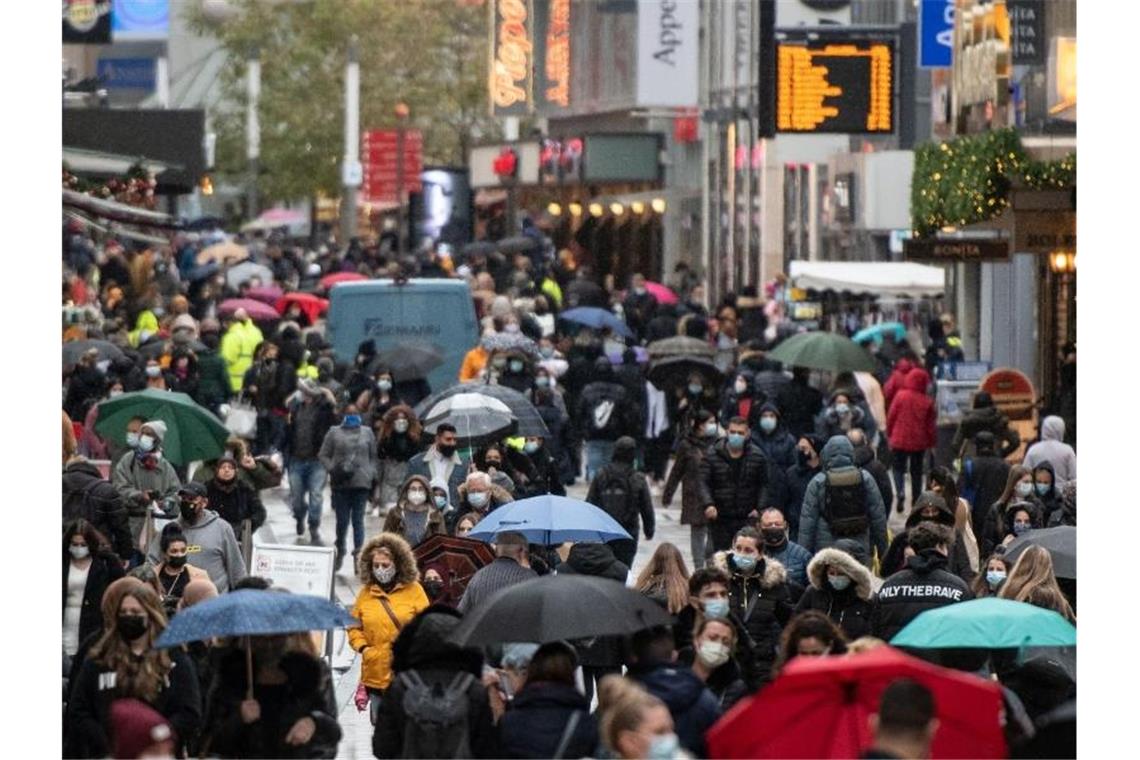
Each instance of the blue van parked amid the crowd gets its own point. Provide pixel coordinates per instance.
(437, 313)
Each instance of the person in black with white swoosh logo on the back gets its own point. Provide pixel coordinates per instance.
(605, 414)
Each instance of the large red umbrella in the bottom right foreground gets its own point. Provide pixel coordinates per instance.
(819, 708)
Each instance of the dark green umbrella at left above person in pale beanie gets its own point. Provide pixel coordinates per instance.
(193, 432)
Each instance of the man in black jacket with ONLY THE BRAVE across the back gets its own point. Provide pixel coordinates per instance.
(924, 585)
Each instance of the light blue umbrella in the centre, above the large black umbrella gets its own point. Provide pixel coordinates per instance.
(550, 520)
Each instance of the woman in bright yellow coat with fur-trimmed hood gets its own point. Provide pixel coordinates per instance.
(390, 598)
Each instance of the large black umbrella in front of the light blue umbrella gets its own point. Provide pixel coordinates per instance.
(556, 608)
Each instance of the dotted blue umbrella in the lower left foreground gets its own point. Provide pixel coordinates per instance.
(253, 612)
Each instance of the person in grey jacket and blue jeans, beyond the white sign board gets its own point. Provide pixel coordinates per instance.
(348, 454)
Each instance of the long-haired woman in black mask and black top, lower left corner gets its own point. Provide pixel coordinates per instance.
(126, 665)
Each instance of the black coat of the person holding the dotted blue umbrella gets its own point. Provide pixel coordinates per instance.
(305, 694)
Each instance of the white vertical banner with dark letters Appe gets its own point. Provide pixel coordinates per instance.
(667, 52)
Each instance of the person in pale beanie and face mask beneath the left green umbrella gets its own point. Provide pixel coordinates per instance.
(144, 477)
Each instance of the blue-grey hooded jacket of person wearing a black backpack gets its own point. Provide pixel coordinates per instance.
(838, 455)
